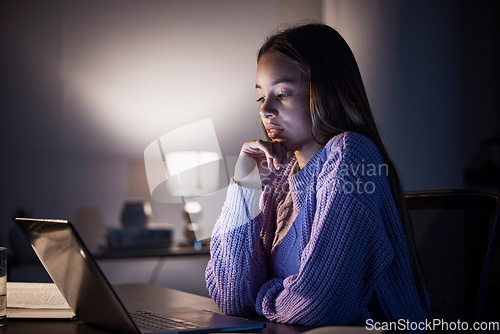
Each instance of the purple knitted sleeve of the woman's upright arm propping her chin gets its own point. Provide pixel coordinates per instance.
(237, 267)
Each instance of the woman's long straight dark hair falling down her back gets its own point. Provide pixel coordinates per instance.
(338, 101)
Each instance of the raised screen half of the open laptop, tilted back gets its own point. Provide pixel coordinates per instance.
(76, 274)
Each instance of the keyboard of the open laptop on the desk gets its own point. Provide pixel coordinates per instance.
(153, 322)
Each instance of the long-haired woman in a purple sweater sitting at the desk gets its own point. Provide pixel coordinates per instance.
(316, 237)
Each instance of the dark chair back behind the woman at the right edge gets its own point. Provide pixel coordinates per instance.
(454, 235)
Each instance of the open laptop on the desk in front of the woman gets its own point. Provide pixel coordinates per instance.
(89, 294)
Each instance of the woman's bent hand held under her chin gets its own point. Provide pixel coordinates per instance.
(268, 156)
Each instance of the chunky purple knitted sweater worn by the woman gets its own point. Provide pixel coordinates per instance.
(353, 261)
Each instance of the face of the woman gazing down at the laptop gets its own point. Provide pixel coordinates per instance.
(284, 101)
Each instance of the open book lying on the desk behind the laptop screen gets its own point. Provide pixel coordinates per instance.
(35, 296)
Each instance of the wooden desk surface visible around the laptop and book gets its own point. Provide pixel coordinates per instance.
(142, 295)
